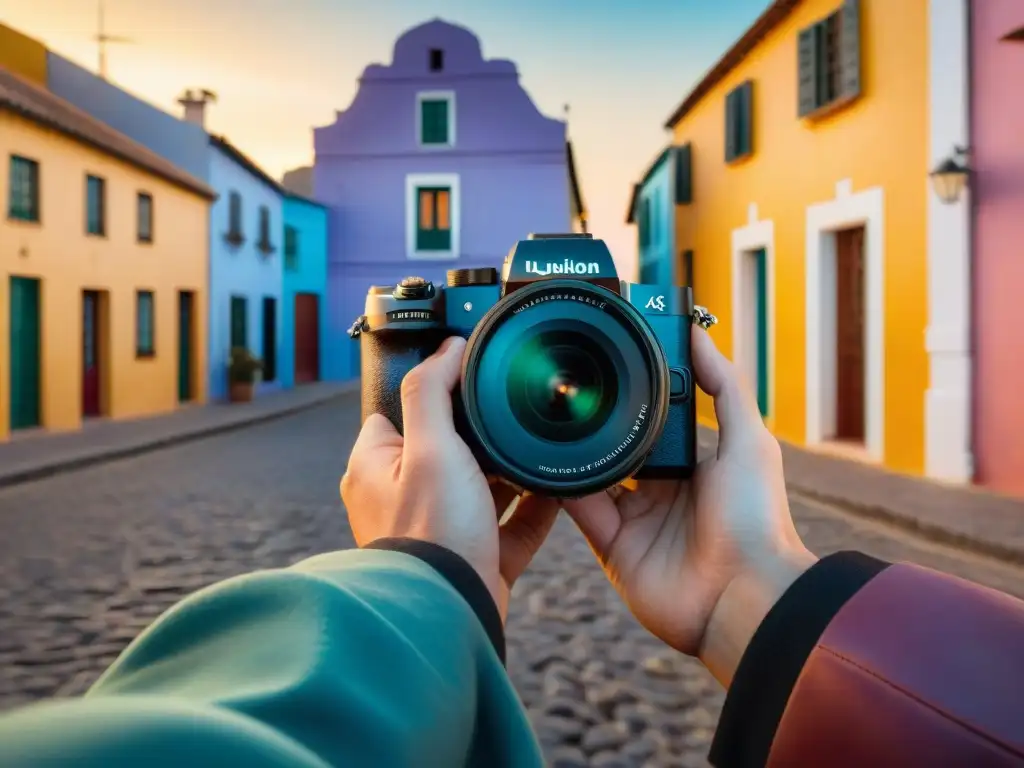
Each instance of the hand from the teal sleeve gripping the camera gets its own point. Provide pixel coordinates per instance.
(428, 486)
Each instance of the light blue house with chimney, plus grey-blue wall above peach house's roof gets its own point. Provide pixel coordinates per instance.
(246, 224)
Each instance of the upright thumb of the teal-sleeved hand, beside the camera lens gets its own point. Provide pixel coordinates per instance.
(426, 395)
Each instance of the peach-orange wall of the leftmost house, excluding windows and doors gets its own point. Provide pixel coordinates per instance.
(59, 252)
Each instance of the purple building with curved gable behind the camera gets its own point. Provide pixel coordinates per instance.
(441, 162)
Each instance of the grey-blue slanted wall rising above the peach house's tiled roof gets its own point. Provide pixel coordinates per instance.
(182, 143)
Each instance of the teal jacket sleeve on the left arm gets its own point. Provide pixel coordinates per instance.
(363, 658)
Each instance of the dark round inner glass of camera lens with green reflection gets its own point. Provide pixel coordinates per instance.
(562, 387)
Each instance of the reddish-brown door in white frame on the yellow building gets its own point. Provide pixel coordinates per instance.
(850, 335)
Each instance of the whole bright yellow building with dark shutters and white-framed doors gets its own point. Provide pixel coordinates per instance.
(814, 229)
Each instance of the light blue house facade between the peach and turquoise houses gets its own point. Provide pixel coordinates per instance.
(246, 272)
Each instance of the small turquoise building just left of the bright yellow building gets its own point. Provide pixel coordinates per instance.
(653, 209)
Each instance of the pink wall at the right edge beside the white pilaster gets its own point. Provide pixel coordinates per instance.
(998, 129)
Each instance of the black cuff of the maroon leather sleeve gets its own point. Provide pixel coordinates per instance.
(774, 661)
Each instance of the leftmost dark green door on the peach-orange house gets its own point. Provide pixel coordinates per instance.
(24, 353)
